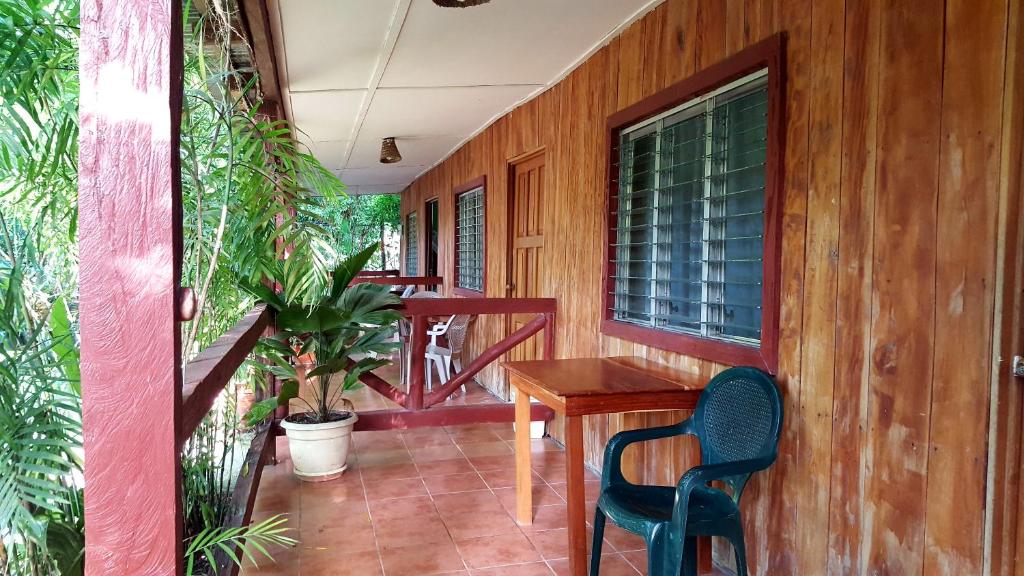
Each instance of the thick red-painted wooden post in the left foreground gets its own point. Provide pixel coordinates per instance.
(131, 246)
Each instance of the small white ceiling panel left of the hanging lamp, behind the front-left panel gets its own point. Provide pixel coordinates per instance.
(327, 116)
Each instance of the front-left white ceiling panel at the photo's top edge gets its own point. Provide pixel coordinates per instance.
(332, 45)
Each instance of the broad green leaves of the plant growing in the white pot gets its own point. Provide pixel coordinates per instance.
(346, 331)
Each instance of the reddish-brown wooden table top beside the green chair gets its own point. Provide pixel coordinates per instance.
(595, 386)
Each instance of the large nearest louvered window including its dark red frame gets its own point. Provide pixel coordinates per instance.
(693, 225)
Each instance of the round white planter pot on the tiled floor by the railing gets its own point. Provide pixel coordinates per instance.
(320, 452)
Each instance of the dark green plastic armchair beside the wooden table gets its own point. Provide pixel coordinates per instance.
(738, 422)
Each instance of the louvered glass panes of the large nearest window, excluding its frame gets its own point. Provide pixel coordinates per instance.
(691, 217)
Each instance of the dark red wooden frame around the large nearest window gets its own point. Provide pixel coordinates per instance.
(767, 54)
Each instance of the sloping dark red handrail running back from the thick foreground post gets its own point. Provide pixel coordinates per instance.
(209, 373)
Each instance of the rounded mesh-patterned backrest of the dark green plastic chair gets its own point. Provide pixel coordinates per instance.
(739, 418)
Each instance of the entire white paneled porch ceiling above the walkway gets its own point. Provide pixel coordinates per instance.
(357, 71)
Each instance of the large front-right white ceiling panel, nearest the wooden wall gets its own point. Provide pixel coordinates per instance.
(504, 43)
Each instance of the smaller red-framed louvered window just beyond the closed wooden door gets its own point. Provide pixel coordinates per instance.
(470, 256)
